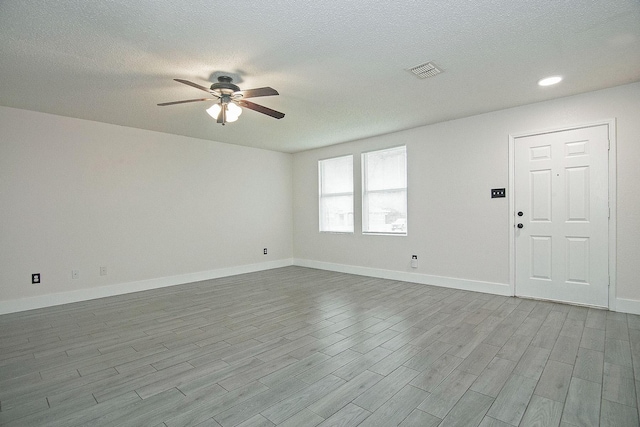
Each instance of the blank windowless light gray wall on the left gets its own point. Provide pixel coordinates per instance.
(76, 194)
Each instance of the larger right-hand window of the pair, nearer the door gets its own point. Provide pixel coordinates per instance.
(384, 191)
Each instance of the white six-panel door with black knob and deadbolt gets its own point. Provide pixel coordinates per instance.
(562, 216)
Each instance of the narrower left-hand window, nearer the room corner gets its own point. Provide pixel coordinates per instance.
(336, 194)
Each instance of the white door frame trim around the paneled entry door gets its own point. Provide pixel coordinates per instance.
(611, 126)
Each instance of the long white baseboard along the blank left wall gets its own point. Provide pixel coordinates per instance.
(40, 301)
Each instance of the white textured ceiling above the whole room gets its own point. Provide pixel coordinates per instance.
(340, 66)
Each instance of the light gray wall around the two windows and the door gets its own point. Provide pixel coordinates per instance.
(461, 235)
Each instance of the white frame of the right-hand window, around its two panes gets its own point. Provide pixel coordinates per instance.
(365, 192)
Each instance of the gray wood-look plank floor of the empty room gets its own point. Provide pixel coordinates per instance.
(299, 347)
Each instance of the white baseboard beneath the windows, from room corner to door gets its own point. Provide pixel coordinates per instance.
(425, 279)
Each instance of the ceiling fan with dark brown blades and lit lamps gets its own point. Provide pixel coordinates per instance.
(229, 98)
